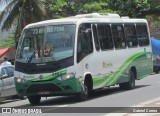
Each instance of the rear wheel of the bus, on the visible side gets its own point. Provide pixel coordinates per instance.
(130, 84)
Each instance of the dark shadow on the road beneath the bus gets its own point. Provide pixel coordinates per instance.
(72, 99)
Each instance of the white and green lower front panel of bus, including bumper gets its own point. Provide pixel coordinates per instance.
(48, 84)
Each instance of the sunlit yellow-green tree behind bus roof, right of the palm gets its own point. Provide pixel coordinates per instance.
(64, 8)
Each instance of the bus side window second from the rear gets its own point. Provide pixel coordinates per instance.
(130, 34)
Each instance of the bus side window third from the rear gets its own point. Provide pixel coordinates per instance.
(118, 36)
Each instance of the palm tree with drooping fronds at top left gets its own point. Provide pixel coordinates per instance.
(21, 13)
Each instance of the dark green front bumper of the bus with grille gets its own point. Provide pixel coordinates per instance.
(69, 86)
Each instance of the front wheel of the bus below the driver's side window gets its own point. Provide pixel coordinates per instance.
(84, 93)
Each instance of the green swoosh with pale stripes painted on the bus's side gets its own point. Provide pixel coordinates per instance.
(135, 60)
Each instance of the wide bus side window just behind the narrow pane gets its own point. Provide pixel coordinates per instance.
(105, 38)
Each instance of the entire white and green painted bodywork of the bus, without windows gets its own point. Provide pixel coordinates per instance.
(106, 67)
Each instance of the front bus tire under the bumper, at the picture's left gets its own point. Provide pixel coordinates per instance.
(34, 100)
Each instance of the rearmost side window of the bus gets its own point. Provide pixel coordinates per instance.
(142, 34)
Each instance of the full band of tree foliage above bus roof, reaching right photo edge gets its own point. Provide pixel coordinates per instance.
(131, 8)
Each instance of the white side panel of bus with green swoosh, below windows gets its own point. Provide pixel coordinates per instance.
(111, 67)
